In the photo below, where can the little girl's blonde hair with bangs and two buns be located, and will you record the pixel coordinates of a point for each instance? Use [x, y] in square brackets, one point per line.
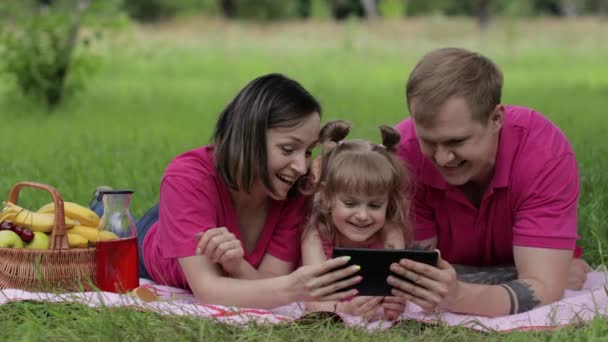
[359, 166]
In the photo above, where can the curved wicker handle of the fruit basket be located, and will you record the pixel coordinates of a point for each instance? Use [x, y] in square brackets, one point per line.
[59, 239]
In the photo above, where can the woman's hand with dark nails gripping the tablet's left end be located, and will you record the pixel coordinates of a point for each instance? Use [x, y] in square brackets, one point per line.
[323, 282]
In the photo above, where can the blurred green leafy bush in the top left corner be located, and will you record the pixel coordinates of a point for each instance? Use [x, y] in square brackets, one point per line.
[44, 48]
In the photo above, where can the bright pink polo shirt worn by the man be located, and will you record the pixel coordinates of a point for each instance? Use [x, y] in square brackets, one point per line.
[531, 200]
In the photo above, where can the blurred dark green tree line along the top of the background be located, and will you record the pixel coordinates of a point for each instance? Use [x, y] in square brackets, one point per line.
[270, 10]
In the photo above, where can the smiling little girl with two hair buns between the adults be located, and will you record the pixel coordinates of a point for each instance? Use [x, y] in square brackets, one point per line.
[360, 203]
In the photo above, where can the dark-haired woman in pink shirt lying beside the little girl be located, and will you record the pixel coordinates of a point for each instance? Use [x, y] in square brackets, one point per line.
[228, 223]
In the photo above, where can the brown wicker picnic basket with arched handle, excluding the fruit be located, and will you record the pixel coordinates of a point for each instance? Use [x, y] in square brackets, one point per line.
[59, 268]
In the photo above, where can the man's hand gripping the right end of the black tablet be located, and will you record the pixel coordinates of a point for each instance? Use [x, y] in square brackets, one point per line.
[430, 287]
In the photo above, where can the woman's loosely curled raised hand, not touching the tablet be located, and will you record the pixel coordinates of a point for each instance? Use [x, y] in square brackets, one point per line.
[222, 247]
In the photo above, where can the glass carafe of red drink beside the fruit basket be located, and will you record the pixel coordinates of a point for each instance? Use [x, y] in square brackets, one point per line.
[117, 259]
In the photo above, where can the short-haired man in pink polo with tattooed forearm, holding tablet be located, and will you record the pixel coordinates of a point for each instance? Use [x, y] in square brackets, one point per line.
[495, 186]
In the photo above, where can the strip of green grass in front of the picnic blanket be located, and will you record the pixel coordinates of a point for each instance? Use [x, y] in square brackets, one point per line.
[43, 321]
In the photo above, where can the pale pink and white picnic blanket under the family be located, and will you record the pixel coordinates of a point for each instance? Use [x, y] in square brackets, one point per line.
[576, 307]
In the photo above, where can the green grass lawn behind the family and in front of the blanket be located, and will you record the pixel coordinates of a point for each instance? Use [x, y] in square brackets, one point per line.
[160, 89]
